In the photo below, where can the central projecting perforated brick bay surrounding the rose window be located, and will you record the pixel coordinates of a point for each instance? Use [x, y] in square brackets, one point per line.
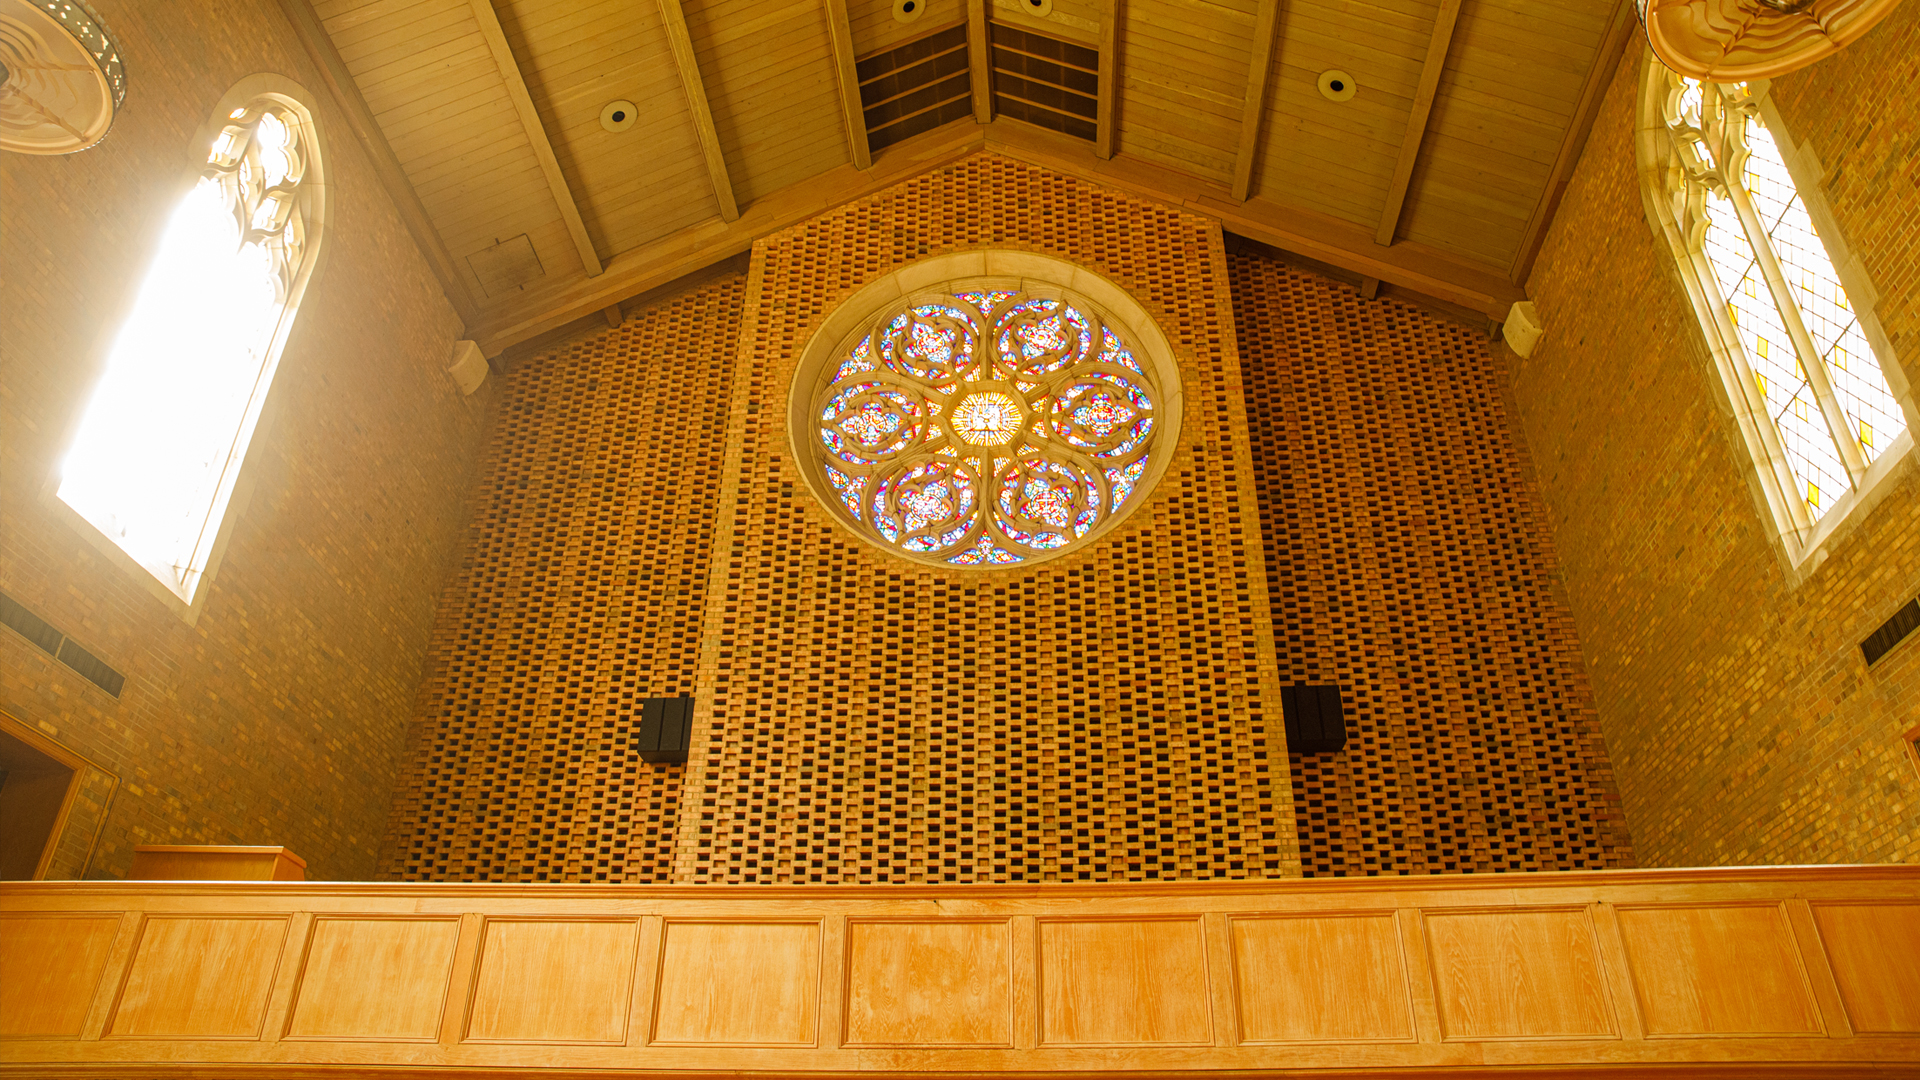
[1103, 718]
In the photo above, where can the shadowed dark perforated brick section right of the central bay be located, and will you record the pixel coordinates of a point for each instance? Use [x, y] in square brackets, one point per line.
[1410, 564]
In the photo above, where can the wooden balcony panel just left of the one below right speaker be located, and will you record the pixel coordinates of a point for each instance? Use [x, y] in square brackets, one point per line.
[1124, 983]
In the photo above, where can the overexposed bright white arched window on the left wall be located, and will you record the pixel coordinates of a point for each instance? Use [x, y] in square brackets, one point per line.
[160, 445]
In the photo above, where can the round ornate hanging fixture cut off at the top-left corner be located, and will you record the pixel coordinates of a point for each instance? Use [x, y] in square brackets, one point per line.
[60, 78]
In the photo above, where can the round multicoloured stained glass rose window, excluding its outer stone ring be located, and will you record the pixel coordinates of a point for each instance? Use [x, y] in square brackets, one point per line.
[986, 428]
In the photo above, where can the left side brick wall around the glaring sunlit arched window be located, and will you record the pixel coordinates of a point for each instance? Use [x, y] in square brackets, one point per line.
[281, 716]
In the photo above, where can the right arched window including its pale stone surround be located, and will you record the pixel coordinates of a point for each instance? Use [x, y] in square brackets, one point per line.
[1788, 316]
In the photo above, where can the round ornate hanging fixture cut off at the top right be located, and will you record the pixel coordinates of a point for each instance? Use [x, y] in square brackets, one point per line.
[1737, 41]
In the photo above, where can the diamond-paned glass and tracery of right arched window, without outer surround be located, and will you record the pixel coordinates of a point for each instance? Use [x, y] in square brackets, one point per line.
[1806, 364]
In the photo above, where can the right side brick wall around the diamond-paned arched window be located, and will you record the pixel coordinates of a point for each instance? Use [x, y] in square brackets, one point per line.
[1742, 720]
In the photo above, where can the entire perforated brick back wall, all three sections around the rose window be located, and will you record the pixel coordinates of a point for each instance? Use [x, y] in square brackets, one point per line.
[876, 722]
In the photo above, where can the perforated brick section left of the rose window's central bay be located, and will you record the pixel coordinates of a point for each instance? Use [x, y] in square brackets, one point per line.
[581, 595]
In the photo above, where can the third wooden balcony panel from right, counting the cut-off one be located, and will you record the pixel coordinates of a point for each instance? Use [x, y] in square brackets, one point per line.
[1512, 975]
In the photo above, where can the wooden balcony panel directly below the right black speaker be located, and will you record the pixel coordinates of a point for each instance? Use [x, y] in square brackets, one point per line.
[1322, 979]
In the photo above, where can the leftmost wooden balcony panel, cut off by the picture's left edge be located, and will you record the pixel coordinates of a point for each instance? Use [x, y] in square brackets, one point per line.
[49, 971]
